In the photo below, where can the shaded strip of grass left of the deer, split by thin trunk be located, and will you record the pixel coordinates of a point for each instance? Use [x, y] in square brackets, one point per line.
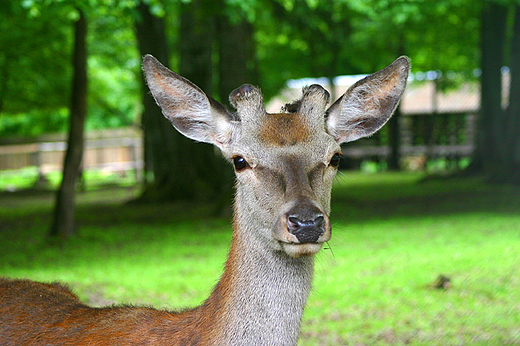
[107, 206]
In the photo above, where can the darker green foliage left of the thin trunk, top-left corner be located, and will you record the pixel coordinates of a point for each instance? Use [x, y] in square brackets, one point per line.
[34, 59]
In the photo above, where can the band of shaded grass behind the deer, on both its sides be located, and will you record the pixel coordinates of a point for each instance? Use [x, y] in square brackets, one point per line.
[357, 197]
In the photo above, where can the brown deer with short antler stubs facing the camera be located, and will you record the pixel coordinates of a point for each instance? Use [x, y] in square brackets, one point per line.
[285, 164]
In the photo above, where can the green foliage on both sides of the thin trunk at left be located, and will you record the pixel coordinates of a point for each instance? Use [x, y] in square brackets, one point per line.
[35, 64]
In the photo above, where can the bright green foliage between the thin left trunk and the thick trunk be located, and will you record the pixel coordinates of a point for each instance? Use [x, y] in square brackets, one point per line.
[114, 69]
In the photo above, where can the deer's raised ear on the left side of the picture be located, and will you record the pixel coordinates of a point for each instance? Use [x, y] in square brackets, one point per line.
[188, 108]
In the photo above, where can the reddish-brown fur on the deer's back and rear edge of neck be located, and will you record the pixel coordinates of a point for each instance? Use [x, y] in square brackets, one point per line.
[53, 315]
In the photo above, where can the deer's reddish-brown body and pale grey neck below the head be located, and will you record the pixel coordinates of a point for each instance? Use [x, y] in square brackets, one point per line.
[265, 311]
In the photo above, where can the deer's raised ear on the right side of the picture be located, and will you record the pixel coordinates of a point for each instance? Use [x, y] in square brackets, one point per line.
[368, 104]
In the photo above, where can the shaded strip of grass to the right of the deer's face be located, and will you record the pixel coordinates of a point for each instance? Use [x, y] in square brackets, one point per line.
[384, 197]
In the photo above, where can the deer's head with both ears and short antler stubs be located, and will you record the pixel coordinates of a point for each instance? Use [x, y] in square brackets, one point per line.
[285, 163]
